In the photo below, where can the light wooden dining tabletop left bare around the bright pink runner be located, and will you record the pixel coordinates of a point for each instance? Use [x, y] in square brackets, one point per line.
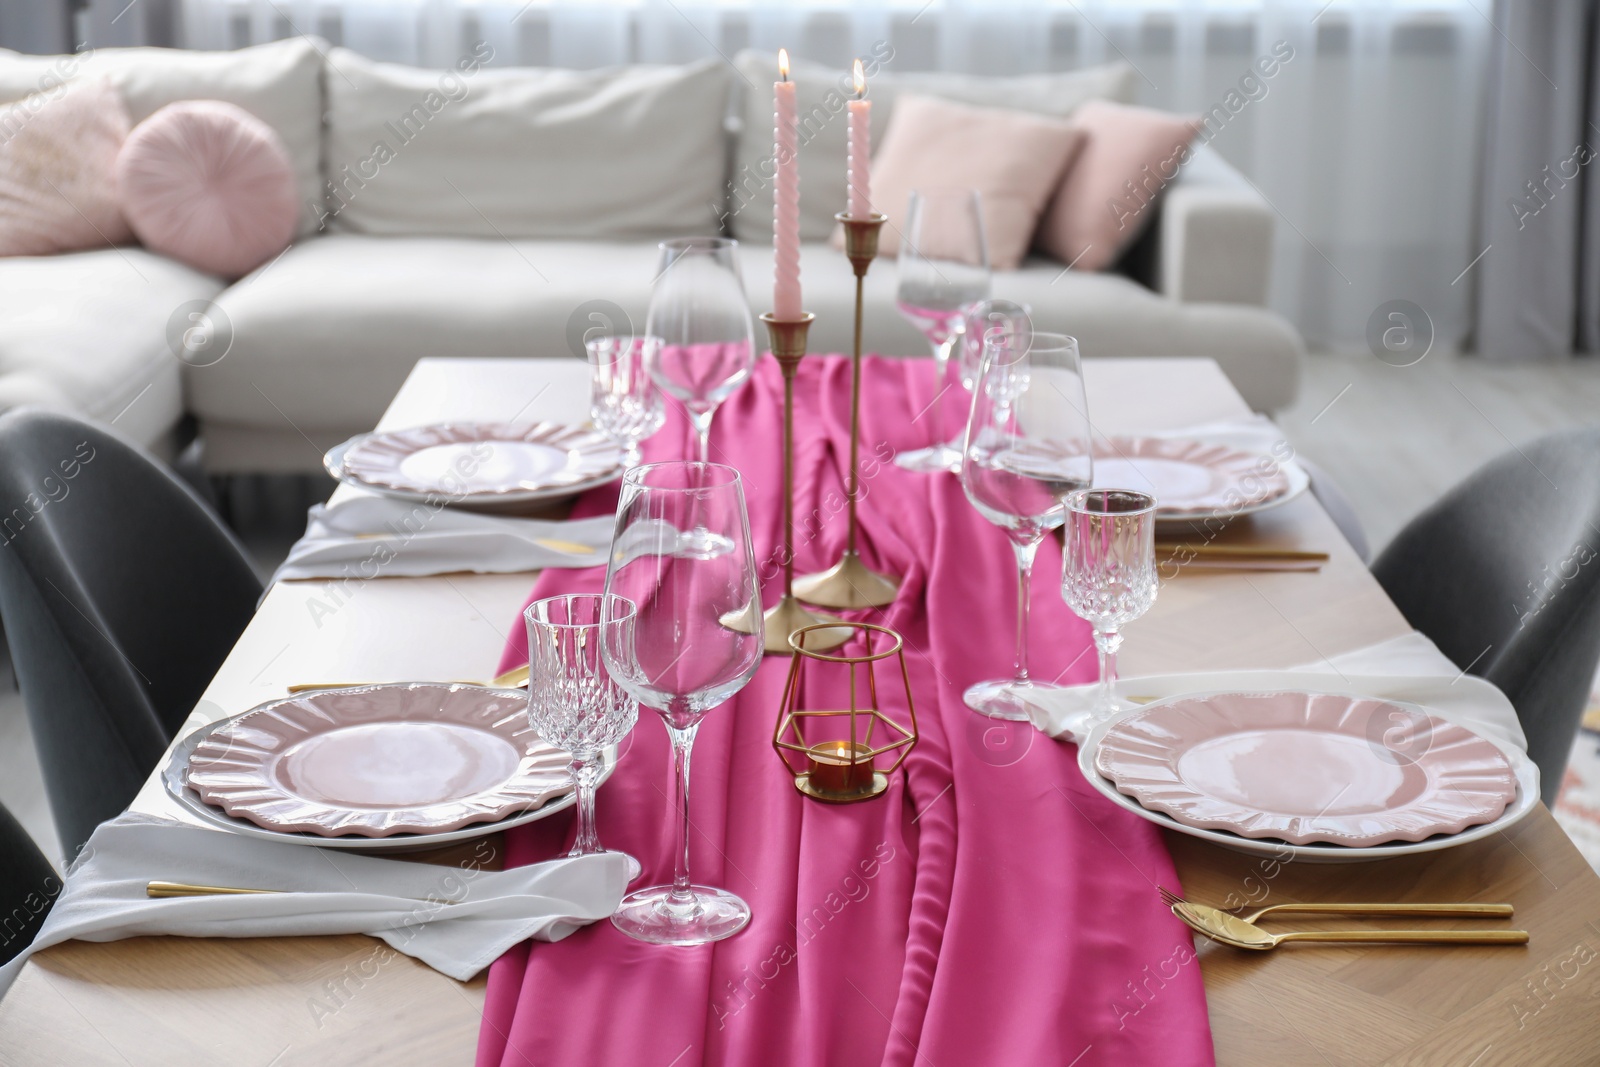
[274, 1002]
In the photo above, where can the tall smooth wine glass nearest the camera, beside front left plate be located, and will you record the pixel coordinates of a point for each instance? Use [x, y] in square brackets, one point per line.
[695, 641]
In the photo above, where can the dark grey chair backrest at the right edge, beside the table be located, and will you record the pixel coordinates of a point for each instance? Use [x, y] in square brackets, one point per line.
[1503, 573]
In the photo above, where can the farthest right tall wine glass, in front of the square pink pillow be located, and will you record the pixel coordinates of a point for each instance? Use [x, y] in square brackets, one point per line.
[943, 274]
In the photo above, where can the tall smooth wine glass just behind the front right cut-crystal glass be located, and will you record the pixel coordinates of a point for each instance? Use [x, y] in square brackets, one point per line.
[1028, 446]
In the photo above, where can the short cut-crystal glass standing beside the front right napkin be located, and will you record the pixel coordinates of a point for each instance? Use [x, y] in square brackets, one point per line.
[1108, 578]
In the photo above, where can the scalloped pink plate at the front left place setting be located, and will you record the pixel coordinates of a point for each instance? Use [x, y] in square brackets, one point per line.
[378, 761]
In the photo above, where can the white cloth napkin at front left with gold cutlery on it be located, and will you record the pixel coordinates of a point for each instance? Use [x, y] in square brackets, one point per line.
[330, 893]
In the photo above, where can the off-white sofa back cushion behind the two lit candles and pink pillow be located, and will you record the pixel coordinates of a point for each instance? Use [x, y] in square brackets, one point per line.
[822, 94]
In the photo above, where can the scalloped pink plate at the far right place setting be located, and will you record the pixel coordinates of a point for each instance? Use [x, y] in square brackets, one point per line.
[1190, 478]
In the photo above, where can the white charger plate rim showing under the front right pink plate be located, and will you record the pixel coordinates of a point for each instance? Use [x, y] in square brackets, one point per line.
[1526, 801]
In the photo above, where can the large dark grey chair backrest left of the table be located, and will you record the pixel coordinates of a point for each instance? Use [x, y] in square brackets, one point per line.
[121, 596]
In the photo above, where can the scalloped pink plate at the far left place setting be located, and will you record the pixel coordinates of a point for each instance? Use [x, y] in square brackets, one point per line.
[484, 460]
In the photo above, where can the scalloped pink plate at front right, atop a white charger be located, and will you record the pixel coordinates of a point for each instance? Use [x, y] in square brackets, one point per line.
[1308, 767]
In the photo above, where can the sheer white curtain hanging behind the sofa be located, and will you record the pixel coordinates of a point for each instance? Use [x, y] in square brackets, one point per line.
[1366, 140]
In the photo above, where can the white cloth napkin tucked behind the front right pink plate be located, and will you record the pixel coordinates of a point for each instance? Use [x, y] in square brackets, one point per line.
[1407, 668]
